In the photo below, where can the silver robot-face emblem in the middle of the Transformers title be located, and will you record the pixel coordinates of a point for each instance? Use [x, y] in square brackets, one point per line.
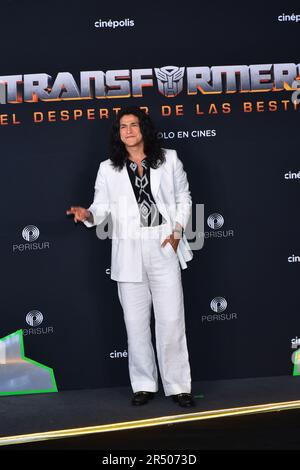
[170, 80]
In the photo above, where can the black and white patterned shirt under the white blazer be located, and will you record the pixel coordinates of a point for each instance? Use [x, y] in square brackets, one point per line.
[149, 213]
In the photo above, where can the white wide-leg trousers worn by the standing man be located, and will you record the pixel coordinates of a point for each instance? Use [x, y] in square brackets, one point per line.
[161, 285]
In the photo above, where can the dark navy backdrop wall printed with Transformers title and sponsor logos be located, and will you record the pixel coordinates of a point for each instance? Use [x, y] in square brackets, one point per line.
[221, 86]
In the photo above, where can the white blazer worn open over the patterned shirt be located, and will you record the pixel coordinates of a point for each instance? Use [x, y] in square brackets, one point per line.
[114, 195]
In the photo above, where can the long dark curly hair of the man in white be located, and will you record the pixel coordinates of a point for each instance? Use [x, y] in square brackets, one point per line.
[154, 152]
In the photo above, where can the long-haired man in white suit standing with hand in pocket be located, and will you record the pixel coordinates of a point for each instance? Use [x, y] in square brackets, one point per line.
[145, 189]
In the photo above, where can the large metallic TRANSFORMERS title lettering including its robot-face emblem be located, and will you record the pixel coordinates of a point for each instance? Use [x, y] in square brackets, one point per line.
[126, 83]
